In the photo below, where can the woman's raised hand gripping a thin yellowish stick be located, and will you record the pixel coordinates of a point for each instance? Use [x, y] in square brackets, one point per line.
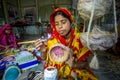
[40, 45]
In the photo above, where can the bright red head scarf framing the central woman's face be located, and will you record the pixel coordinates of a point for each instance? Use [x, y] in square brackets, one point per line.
[55, 33]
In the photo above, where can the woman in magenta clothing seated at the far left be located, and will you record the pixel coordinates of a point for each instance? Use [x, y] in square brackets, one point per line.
[7, 39]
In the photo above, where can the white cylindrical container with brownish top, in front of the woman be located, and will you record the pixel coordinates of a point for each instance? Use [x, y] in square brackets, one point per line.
[50, 73]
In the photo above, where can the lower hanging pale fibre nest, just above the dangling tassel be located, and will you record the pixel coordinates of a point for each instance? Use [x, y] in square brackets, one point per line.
[98, 39]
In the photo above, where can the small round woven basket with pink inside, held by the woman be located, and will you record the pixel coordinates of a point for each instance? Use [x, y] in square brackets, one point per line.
[59, 53]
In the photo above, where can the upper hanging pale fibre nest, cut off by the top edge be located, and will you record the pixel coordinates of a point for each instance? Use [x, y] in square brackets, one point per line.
[101, 7]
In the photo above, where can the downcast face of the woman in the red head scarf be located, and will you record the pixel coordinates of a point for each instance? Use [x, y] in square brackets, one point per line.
[62, 25]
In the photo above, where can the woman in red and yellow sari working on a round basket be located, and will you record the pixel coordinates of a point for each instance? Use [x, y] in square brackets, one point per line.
[63, 33]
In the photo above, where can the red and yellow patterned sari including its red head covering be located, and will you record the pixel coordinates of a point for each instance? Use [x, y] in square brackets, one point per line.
[79, 52]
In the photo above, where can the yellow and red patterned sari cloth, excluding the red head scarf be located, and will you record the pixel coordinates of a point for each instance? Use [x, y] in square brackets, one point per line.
[81, 53]
